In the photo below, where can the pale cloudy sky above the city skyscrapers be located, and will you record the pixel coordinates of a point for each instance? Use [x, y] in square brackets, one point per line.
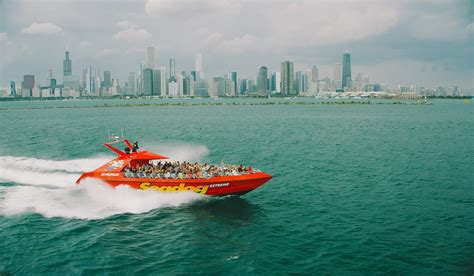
[406, 41]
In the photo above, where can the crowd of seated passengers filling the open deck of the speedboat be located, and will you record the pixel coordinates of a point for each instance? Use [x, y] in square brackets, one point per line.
[185, 170]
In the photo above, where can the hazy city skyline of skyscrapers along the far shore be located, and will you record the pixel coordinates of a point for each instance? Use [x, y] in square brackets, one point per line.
[165, 82]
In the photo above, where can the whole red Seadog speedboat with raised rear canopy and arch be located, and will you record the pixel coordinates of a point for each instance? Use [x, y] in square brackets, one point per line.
[122, 171]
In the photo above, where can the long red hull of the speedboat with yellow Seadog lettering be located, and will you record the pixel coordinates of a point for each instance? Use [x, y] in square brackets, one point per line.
[215, 186]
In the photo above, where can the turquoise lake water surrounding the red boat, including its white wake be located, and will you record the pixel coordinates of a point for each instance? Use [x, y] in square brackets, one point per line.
[357, 189]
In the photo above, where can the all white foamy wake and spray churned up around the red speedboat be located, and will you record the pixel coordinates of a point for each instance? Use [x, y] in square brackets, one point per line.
[47, 187]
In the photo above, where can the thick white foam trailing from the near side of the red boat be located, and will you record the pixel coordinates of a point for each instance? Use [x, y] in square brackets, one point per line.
[90, 200]
